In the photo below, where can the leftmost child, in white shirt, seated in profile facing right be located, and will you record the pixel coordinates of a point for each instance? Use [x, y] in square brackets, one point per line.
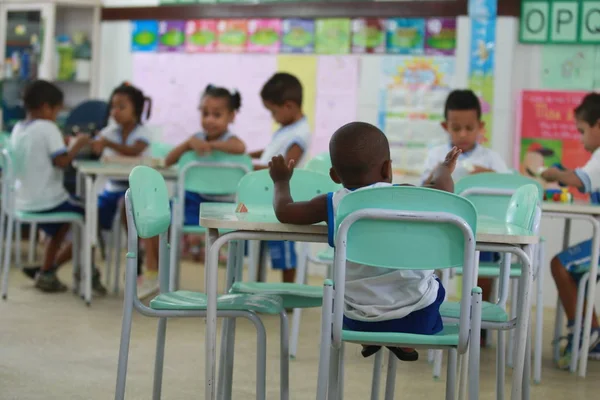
[42, 156]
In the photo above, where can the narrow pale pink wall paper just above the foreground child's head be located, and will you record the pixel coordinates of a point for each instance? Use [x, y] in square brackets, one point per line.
[336, 98]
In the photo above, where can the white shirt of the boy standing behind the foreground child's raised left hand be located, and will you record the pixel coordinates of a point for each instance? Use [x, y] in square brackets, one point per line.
[287, 136]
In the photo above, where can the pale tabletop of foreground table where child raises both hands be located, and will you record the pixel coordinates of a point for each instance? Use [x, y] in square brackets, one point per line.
[262, 219]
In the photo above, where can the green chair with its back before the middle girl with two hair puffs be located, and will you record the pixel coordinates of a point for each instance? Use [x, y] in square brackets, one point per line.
[217, 175]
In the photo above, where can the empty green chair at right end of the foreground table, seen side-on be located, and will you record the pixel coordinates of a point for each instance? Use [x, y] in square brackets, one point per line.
[524, 210]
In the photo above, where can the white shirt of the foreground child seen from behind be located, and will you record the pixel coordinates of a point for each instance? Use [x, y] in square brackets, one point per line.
[379, 294]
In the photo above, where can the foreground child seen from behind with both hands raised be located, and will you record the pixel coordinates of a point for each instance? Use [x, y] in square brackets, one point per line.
[377, 299]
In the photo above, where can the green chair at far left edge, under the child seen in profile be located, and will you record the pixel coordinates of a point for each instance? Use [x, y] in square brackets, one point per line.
[12, 217]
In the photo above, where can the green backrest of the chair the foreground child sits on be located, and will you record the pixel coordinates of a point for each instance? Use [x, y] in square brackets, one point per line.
[423, 242]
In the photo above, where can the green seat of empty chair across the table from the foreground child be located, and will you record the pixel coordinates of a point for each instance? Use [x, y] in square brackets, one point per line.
[293, 295]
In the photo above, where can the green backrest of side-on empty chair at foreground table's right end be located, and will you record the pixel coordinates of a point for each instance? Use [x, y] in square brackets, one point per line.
[524, 208]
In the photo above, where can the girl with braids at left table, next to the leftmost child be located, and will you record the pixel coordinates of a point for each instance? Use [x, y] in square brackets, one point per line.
[127, 138]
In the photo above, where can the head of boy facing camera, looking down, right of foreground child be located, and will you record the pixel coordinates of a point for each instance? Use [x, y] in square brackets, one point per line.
[462, 115]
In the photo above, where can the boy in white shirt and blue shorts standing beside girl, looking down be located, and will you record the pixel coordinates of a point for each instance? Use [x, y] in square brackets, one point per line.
[282, 96]
